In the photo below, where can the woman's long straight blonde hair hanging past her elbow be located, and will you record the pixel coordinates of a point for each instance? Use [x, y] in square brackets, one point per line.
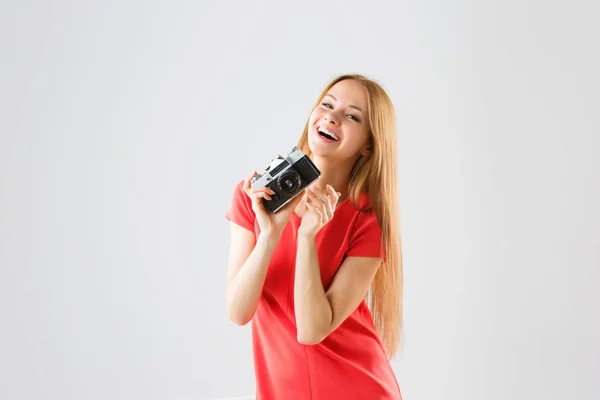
[376, 175]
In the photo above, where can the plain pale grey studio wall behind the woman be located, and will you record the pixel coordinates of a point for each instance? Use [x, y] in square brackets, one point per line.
[124, 127]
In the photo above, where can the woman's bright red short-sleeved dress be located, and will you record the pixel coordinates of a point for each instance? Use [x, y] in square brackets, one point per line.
[348, 364]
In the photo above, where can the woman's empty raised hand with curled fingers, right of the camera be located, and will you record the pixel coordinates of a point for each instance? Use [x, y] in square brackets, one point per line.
[320, 206]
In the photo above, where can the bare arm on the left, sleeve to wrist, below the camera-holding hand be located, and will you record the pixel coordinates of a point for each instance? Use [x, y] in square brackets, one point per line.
[249, 259]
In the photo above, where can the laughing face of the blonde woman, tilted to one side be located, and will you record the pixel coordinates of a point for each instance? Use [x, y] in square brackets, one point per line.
[338, 127]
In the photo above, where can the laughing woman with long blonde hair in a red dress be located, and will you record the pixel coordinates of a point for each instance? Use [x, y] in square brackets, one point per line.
[302, 275]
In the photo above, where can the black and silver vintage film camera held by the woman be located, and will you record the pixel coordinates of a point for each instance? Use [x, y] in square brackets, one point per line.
[287, 177]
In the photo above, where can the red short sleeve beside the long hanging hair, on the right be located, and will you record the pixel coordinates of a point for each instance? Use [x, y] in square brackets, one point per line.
[366, 239]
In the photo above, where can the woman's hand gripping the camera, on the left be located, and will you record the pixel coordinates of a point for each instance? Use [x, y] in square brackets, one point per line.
[268, 222]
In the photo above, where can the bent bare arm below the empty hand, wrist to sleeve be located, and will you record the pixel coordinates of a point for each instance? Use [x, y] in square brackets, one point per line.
[318, 313]
